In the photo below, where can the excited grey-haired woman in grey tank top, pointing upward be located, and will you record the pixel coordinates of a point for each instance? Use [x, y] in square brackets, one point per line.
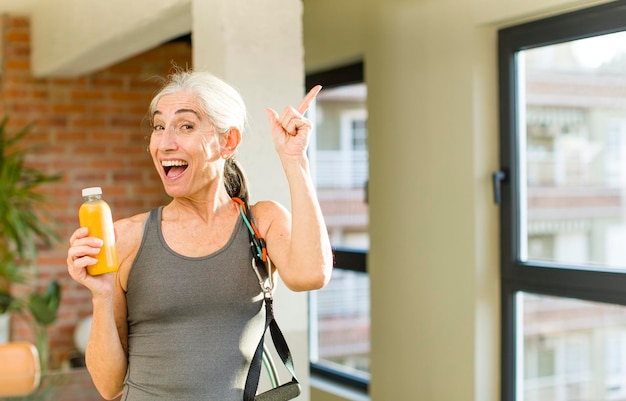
[182, 317]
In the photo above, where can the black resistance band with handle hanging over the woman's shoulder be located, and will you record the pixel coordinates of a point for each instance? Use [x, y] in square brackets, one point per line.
[262, 267]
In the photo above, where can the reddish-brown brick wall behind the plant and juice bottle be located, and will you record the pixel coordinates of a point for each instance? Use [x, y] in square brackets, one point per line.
[93, 131]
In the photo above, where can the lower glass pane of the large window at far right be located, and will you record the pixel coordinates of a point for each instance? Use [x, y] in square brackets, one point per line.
[571, 349]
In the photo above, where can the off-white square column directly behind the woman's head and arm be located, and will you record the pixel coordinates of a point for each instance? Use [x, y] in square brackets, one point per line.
[256, 46]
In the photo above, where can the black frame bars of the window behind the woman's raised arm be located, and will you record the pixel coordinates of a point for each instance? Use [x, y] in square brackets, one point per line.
[345, 258]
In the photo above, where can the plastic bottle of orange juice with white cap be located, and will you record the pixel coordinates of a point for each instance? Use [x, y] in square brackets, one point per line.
[95, 214]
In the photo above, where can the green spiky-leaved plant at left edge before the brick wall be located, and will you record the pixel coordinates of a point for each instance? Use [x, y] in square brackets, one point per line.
[23, 220]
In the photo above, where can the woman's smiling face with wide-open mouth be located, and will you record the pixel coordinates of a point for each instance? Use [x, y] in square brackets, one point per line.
[185, 147]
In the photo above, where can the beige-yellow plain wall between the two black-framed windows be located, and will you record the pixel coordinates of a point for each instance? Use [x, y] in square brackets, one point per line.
[431, 70]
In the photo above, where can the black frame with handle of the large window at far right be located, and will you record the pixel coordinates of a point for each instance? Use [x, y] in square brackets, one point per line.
[587, 282]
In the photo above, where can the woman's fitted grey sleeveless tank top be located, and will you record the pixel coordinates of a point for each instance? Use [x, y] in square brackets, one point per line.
[194, 322]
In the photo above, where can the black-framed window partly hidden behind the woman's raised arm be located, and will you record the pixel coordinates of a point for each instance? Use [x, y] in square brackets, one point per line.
[339, 313]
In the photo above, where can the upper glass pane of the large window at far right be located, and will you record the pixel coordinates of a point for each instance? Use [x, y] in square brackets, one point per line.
[573, 152]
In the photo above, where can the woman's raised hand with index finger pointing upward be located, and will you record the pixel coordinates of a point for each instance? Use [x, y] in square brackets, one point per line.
[291, 130]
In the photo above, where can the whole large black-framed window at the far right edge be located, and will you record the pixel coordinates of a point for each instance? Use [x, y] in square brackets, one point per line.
[563, 206]
